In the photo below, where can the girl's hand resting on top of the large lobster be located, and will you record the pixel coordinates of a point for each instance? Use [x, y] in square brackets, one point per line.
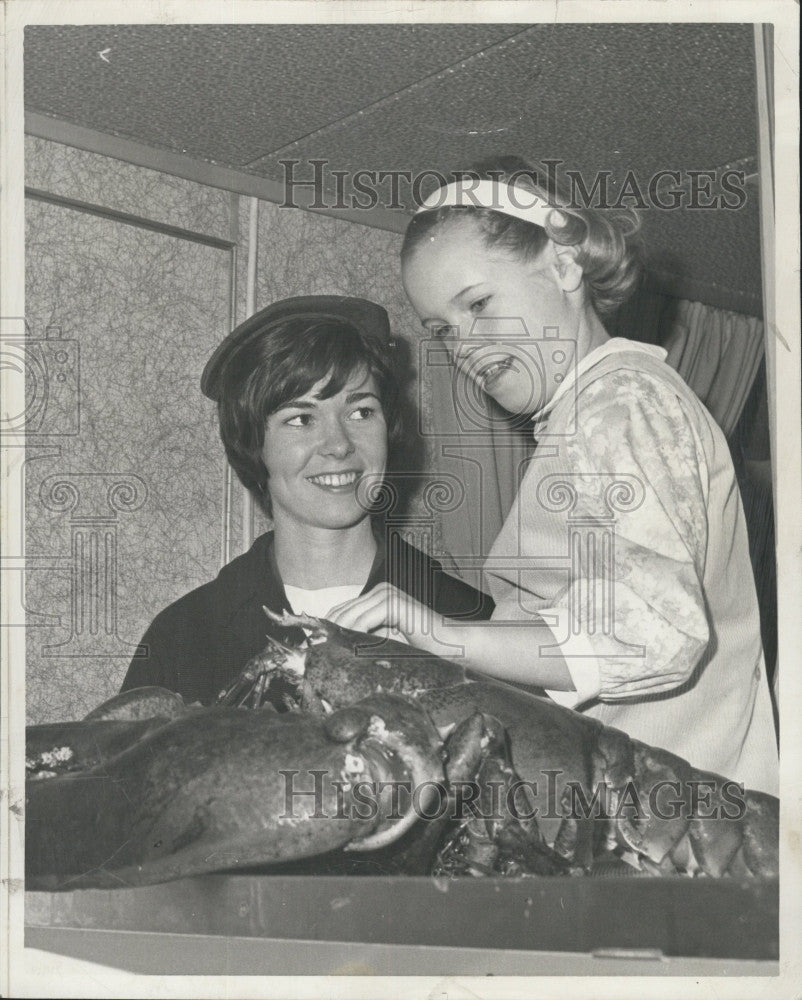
[388, 607]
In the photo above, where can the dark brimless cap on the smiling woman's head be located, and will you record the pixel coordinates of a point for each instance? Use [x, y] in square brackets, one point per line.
[370, 319]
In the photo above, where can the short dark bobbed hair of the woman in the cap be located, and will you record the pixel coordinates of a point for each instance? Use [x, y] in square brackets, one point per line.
[282, 363]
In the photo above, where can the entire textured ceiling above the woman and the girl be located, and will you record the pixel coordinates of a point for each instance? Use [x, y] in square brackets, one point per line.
[599, 97]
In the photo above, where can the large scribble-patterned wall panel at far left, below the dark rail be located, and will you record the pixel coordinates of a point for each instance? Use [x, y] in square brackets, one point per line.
[124, 509]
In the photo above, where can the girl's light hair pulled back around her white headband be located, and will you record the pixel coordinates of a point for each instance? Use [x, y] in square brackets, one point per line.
[608, 241]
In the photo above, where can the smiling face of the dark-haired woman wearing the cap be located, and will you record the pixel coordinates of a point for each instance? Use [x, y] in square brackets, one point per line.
[316, 450]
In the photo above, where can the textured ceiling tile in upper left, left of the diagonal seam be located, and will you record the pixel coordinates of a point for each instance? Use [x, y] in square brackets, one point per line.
[231, 93]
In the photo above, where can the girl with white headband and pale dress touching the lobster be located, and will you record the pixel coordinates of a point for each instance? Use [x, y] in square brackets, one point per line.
[622, 573]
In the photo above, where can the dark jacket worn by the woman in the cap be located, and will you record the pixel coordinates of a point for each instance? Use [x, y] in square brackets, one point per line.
[199, 644]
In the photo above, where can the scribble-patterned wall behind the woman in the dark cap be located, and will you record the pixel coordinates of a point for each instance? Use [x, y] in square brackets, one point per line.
[124, 483]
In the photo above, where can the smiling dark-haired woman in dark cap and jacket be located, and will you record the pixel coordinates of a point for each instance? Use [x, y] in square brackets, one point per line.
[311, 417]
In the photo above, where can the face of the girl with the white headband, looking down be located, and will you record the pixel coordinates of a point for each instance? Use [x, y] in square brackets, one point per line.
[497, 305]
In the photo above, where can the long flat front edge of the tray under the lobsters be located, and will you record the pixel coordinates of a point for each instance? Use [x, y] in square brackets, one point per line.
[630, 919]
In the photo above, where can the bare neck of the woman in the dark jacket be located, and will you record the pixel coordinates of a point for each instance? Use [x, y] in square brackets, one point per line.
[313, 558]
